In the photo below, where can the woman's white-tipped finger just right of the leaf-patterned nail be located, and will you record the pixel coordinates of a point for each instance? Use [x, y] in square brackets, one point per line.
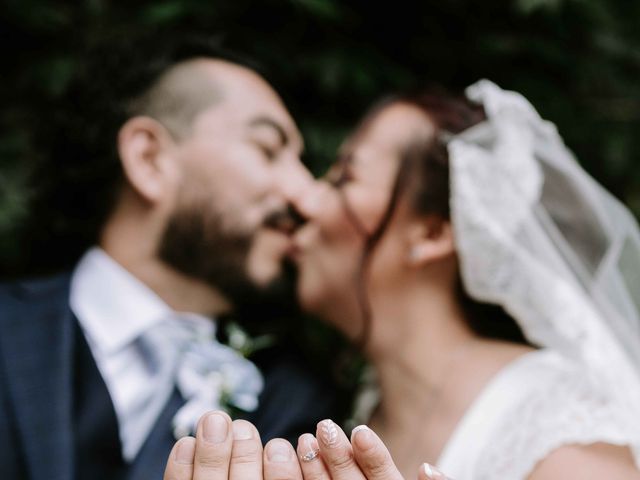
[372, 455]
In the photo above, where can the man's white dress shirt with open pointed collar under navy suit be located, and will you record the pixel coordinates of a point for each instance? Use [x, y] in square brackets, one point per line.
[118, 315]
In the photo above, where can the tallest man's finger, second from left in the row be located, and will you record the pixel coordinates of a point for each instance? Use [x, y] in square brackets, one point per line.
[213, 447]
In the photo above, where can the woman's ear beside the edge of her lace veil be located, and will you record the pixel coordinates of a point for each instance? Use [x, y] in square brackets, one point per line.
[429, 240]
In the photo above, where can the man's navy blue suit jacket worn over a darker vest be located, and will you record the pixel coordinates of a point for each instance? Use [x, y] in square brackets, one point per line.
[36, 390]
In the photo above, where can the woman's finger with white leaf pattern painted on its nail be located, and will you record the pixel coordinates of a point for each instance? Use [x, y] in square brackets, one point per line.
[337, 453]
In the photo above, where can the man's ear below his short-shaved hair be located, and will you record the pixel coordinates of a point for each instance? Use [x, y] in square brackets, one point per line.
[142, 144]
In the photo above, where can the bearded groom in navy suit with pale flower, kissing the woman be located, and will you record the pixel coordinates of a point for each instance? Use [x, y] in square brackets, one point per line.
[206, 163]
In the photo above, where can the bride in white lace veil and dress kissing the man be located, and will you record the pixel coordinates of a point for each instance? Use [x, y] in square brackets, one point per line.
[491, 284]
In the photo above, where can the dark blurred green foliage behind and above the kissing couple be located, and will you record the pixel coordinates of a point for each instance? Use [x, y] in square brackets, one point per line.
[578, 61]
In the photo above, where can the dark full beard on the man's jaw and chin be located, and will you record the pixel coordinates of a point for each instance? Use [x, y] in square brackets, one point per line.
[196, 243]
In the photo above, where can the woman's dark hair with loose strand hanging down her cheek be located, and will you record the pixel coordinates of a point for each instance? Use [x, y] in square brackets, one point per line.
[423, 175]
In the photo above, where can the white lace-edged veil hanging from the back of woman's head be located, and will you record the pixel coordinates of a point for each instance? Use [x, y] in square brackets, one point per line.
[537, 235]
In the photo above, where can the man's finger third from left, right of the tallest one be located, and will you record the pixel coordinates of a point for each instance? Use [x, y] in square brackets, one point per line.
[246, 454]
